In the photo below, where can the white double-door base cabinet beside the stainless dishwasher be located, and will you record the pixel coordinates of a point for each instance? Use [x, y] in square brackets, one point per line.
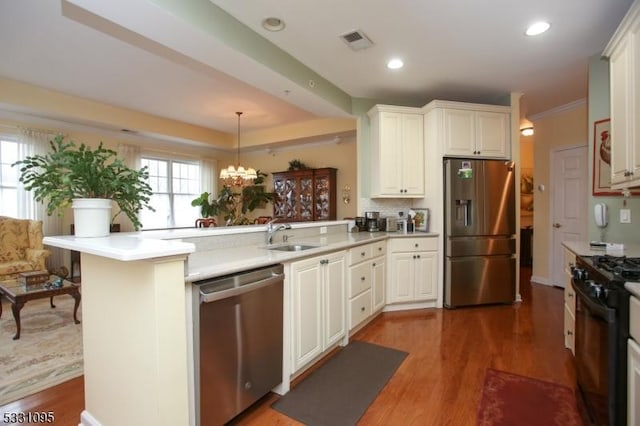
[318, 286]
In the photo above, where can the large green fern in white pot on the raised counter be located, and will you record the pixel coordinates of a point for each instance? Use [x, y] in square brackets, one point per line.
[88, 181]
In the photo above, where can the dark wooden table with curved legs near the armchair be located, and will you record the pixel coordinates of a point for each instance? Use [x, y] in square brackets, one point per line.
[18, 295]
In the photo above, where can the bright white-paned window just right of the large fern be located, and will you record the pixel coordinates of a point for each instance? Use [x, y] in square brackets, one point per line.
[174, 184]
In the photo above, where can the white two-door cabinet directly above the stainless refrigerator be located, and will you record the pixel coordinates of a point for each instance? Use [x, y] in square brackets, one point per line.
[473, 130]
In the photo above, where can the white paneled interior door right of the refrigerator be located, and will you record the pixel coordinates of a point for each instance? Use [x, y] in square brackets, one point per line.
[569, 189]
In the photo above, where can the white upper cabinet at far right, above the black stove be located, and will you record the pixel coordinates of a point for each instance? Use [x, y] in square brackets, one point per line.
[623, 52]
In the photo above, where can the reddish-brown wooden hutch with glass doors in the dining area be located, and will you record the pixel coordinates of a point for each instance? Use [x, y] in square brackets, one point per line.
[305, 195]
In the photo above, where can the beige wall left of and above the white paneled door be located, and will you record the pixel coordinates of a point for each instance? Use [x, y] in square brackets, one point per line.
[553, 130]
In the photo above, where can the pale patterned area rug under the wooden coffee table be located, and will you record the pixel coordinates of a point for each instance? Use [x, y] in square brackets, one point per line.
[48, 352]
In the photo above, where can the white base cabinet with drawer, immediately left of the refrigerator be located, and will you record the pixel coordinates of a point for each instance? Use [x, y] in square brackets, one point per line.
[413, 270]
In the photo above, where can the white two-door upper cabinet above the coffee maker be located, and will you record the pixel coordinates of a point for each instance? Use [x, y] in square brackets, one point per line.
[397, 152]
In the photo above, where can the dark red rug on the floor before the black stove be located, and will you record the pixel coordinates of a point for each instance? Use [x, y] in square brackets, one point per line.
[510, 399]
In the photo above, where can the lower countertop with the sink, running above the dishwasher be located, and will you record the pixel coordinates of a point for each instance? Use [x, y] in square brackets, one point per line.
[212, 263]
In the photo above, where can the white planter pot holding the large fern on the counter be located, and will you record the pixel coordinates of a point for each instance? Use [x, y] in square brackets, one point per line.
[91, 217]
